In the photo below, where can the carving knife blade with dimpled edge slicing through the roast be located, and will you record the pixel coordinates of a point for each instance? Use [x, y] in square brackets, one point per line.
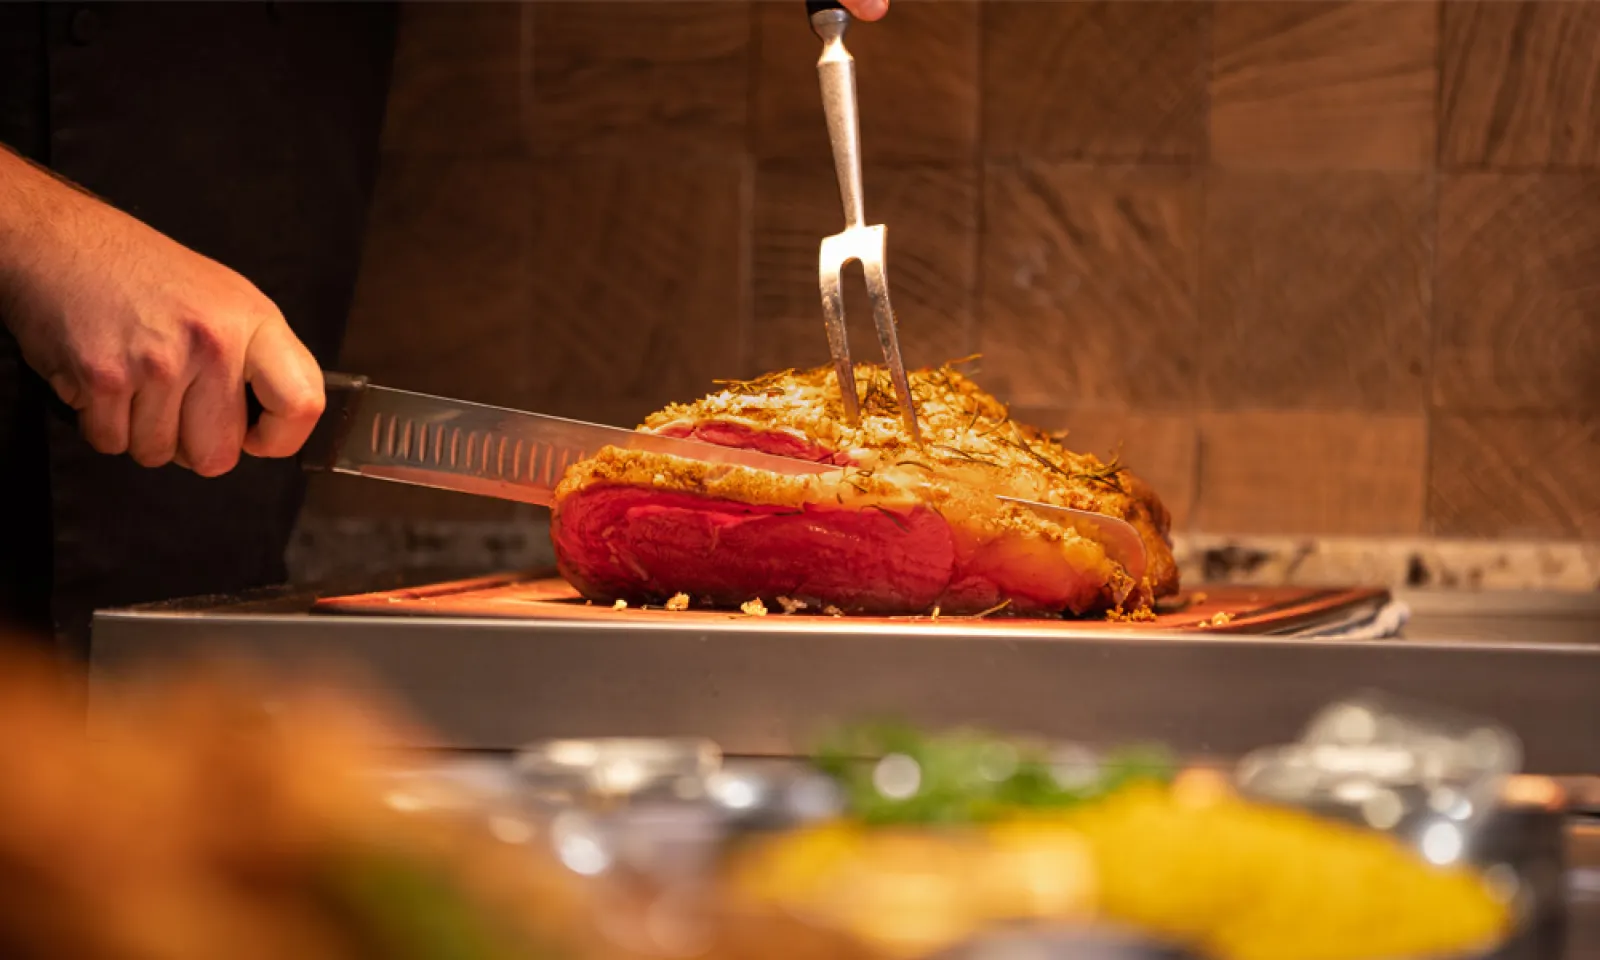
[426, 441]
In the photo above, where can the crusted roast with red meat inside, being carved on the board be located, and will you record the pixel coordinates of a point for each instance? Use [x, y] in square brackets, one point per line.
[905, 529]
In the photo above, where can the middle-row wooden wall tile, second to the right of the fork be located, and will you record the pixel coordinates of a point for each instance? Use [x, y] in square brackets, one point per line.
[1316, 290]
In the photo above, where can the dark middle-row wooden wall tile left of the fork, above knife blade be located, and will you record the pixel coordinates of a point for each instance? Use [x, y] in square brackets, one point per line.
[638, 284]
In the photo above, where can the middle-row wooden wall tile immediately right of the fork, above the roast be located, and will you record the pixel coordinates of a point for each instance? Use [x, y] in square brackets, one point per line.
[1090, 279]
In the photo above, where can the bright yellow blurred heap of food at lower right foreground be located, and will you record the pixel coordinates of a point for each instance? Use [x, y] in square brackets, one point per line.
[1249, 882]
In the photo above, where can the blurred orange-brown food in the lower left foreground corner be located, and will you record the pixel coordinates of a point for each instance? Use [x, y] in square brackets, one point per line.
[204, 823]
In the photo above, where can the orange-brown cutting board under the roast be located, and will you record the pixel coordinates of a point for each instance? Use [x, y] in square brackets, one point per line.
[1222, 609]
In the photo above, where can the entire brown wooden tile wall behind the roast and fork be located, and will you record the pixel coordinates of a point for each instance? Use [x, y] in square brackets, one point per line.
[1314, 266]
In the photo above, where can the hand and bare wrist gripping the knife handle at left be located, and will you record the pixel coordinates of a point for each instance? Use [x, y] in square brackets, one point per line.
[150, 342]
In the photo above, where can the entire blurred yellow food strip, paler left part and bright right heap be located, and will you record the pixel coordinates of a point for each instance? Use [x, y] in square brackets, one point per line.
[1190, 865]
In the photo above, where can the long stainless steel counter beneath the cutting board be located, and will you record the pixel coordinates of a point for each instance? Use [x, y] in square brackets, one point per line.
[766, 689]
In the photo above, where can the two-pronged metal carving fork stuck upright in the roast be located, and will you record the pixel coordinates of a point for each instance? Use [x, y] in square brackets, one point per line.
[858, 242]
